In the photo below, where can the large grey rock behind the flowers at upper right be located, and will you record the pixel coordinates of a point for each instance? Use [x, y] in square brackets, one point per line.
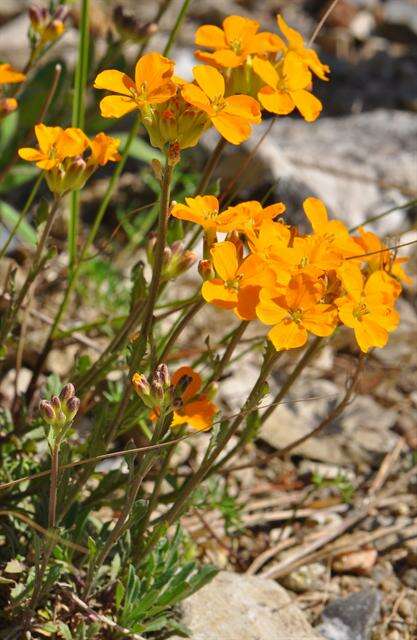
[360, 165]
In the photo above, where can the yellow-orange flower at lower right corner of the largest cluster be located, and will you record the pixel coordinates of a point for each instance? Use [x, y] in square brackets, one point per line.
[367, 306]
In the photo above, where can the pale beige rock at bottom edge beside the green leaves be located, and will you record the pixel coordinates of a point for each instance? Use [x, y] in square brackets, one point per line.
[238, 607]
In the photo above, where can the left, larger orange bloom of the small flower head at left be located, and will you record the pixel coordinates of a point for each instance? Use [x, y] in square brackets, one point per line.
[55, 144]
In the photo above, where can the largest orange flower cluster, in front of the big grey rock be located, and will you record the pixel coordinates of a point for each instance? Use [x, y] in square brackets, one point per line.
[300, 284]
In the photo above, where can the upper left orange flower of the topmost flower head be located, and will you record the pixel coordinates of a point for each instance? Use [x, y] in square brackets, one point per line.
[233, 44]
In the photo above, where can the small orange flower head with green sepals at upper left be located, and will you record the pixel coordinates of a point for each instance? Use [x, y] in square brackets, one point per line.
[60, 154]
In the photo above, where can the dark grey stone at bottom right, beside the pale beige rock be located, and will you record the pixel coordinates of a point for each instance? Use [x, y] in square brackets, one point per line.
[351, 618]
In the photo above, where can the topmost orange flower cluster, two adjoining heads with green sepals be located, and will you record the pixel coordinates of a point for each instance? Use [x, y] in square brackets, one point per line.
[246, 72]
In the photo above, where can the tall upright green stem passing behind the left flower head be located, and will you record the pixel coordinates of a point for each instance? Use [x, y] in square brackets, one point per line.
[80, 82]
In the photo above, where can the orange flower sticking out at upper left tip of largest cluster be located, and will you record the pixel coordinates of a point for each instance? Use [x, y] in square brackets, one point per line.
[204, 210]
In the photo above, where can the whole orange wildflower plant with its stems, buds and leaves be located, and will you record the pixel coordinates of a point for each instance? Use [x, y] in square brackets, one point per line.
[128, 400]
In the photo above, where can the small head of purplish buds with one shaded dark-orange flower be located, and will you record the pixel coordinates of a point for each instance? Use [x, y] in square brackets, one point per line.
[180, 394]
